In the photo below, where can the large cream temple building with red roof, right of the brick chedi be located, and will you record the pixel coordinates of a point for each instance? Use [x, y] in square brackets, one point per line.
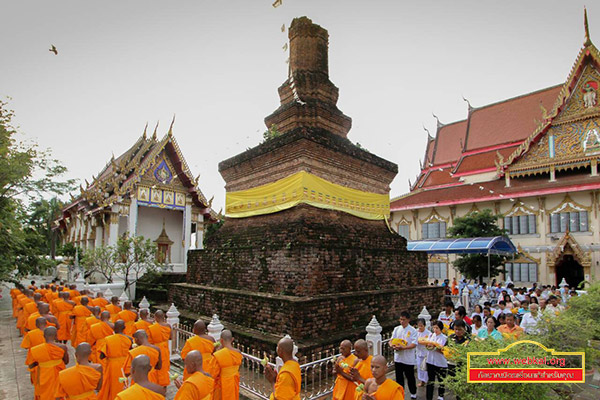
[532, 159]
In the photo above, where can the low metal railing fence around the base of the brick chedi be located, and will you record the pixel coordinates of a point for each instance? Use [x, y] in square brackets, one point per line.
[318, 377]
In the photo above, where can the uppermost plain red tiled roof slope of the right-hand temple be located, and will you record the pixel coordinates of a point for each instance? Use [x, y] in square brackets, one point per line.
[510, 120]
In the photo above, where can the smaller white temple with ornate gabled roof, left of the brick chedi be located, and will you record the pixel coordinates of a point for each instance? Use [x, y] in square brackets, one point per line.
[147, 191]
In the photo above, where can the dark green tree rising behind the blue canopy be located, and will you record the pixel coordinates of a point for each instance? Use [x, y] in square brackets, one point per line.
[477, 224]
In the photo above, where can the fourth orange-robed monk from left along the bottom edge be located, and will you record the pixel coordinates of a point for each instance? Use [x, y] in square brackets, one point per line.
[199, 385]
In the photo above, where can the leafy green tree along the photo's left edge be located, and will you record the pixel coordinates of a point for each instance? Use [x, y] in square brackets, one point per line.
[27, 173]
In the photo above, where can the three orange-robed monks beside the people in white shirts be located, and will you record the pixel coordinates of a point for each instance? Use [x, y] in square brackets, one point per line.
[361, 376]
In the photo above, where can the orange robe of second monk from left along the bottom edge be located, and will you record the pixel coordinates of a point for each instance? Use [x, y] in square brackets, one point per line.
[78, 382]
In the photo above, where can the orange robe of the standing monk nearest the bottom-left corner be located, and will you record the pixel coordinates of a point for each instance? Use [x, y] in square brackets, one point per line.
[50, 362]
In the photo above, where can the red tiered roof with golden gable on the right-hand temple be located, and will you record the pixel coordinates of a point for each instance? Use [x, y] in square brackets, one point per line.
[510, 137]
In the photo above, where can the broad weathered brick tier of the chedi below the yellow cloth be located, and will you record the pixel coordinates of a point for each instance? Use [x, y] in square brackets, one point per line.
[306, 251]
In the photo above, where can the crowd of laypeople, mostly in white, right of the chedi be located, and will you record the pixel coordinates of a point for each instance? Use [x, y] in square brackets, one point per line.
[508, 315]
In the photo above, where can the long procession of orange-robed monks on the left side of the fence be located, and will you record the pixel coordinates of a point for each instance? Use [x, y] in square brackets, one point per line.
[123, 354]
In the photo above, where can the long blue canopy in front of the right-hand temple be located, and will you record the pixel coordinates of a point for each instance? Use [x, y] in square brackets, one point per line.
[489, 245]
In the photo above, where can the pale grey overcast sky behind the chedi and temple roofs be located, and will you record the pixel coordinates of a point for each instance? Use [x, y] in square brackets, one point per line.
[217, 65]
